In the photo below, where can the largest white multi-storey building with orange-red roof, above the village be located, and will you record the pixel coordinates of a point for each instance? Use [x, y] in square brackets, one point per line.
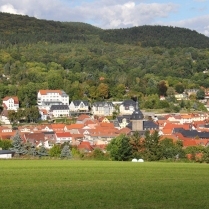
[47, 98]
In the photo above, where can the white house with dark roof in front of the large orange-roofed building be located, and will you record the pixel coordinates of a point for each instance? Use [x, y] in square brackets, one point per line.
[57, 111]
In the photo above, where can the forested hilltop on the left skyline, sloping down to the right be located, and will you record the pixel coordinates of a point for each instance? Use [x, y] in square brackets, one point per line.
[23, 29]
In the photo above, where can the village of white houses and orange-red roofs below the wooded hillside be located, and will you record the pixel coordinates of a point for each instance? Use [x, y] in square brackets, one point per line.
[93, 127]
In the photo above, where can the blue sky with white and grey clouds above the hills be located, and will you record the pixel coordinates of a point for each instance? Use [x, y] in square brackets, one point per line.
[111, 14]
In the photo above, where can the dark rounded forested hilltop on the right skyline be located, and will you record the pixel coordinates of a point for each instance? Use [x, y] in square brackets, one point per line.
[164, 36]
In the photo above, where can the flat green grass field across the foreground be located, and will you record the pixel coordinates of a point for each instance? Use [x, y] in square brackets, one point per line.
[57, 184]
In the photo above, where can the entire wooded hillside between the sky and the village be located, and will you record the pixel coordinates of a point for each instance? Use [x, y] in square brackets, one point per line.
[143, 61]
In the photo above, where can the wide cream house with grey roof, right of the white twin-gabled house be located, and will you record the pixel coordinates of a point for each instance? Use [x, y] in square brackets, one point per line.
[103, 108]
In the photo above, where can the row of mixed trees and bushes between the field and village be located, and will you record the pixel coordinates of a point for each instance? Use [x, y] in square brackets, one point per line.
[148, 147]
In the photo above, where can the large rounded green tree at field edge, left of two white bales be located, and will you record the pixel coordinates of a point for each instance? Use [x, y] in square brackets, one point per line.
[120, 149]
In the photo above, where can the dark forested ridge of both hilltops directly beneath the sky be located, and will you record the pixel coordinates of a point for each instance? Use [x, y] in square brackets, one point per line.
[23, 29]
